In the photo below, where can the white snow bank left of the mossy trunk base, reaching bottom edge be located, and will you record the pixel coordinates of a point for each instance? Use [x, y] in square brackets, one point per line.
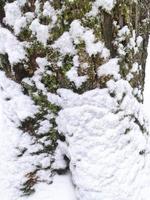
[14, 106]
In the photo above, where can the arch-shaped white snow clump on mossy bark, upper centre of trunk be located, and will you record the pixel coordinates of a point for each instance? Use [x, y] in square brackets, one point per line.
[77, 34]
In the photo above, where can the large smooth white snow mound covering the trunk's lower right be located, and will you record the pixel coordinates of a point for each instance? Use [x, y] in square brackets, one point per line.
[108, 152]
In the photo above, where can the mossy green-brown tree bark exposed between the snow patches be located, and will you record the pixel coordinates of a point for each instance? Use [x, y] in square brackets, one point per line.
[106, 26]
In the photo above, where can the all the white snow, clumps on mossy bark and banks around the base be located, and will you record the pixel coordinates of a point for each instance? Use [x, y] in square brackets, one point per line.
[103, 139]
